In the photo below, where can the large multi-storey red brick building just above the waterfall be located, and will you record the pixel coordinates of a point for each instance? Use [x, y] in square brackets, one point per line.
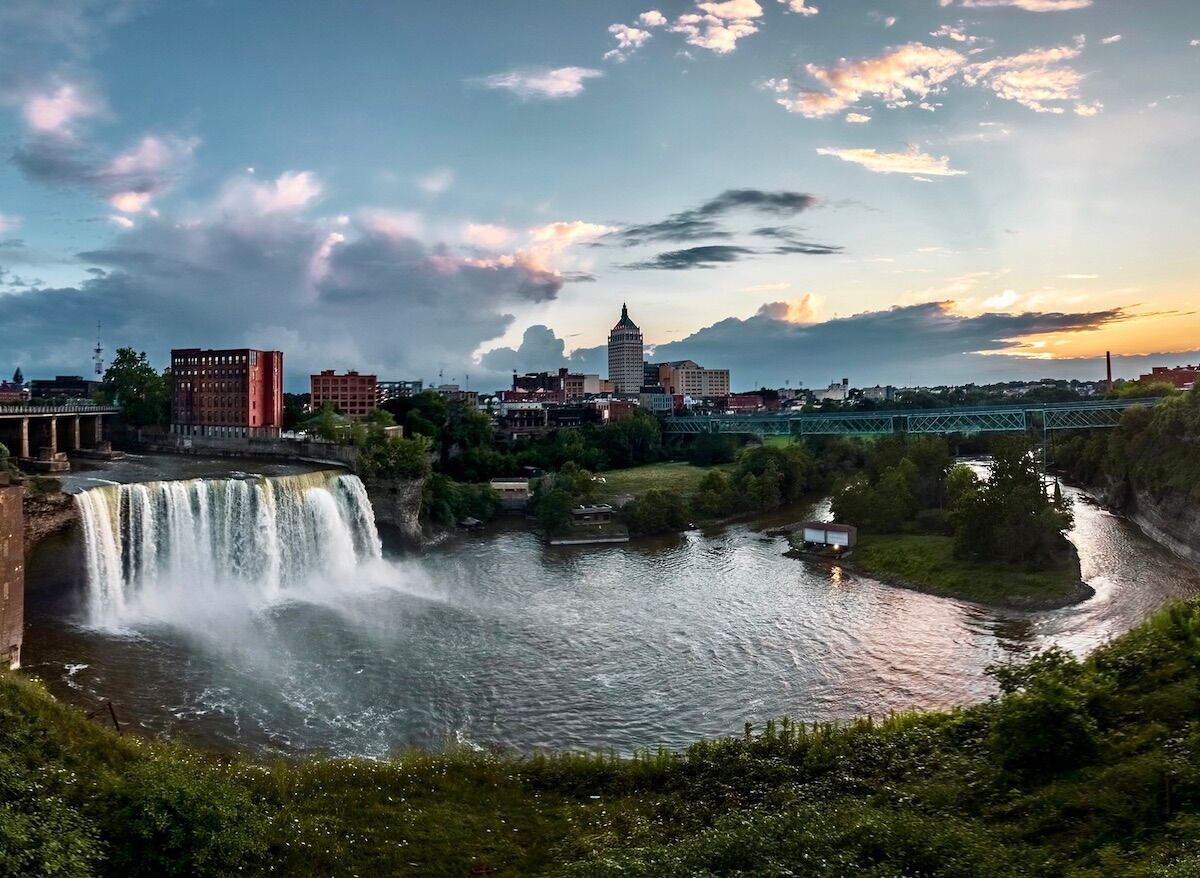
[237, 393]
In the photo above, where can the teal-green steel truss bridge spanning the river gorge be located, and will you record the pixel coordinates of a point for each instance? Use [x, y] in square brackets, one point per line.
[1045, 418]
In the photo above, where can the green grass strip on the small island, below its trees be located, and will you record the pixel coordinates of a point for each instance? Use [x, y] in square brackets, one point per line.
[928, 563]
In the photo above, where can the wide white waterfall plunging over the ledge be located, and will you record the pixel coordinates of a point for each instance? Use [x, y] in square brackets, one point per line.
[158, 543]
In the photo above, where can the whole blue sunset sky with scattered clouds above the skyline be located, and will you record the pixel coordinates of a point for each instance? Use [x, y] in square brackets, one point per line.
[897, 191]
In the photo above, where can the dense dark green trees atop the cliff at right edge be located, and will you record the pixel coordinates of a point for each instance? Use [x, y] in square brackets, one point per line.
[1155, 450]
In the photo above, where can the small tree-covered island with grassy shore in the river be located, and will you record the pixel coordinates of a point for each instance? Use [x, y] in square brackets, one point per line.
[928, 525]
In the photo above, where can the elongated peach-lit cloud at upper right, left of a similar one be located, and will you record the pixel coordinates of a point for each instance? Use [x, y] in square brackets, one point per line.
[898, 79]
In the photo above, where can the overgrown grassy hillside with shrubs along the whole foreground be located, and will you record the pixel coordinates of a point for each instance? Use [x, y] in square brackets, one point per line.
[1081, 769]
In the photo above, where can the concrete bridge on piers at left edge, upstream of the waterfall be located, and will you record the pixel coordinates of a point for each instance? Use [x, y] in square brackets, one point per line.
[41, 436]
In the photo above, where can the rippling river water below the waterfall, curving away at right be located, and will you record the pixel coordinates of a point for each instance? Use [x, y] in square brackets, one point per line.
[496, 640]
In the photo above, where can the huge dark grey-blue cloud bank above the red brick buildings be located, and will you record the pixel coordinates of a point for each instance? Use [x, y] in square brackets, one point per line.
[356, 299]
